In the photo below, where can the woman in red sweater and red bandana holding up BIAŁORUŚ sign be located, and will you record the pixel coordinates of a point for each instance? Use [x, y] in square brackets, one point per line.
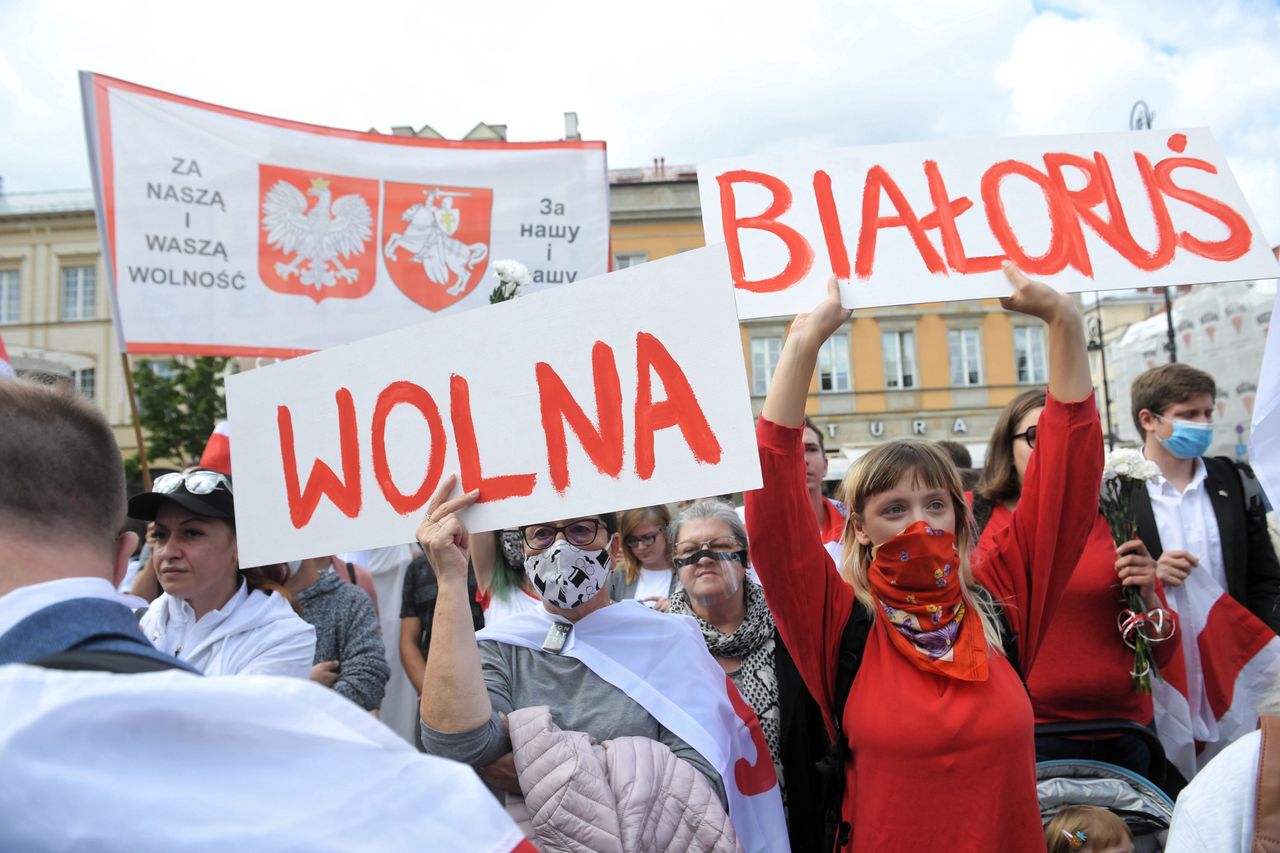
[940, 728]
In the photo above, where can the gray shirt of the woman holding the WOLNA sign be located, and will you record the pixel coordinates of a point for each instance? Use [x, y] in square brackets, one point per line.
[579, 699]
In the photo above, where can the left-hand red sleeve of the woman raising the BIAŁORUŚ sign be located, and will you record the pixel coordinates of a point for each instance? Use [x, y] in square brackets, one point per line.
[810, 600]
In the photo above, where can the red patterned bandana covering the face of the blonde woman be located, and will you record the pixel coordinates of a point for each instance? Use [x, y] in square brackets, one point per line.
[916, 581]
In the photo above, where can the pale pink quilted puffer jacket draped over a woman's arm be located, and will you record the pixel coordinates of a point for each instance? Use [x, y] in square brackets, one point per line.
[623, 796]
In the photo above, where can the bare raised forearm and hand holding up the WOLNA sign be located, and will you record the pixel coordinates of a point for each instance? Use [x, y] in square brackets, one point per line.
[458, 700]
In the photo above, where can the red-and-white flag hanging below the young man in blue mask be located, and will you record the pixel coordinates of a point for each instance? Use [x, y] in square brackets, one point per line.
[1208, 697]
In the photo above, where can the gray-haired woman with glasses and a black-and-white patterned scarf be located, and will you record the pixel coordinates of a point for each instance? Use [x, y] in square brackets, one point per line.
[738, 628]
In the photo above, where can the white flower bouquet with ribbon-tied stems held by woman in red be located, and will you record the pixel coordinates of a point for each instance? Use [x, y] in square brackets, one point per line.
[1124, 471]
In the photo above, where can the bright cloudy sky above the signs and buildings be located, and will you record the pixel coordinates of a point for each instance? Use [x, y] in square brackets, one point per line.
[685, 81]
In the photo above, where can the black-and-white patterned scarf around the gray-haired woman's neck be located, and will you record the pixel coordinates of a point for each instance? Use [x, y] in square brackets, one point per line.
[753, 646]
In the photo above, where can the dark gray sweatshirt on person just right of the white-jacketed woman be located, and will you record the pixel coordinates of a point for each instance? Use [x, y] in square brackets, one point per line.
[348, 632]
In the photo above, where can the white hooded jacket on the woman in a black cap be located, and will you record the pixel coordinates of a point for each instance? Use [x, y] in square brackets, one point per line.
[253, 633]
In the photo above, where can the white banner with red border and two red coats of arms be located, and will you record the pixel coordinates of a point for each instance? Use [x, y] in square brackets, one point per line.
[234, 234]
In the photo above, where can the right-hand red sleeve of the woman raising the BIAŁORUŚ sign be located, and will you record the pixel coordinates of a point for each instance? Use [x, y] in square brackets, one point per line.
[1028, 564]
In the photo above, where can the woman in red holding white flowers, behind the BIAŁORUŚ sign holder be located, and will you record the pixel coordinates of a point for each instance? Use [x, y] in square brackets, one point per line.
[1084, 669]
